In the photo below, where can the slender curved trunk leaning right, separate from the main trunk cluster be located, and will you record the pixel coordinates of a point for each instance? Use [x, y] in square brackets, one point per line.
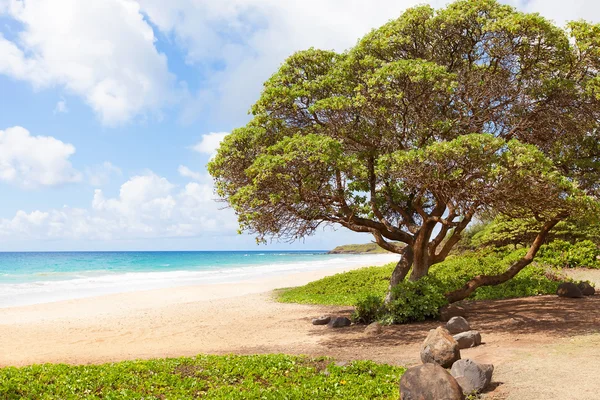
[492, 280]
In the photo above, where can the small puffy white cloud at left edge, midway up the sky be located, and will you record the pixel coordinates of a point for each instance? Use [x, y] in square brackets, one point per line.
[32, 161]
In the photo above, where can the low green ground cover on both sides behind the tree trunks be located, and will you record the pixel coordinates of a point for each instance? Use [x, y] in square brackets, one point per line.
[346, 289]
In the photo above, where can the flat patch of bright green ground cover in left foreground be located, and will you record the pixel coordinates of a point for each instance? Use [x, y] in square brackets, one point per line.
[206, 377]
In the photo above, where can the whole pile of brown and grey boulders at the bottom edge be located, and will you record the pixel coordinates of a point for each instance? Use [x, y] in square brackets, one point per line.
[441, 351]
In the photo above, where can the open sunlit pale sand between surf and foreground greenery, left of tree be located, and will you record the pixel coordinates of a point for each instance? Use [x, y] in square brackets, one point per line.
[238, 318]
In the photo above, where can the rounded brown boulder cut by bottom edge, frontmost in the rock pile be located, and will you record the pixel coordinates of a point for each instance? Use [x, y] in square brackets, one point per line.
[429, 382]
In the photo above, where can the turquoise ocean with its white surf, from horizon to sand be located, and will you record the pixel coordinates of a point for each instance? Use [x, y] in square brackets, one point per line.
[33, 278]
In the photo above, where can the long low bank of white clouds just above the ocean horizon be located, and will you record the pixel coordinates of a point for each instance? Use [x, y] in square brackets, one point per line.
[147, 206]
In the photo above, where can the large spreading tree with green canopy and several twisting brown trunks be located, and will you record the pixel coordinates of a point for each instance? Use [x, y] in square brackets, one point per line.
[429, 121]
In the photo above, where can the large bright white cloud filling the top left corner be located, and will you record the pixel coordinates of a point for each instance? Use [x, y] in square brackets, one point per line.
[100, 50]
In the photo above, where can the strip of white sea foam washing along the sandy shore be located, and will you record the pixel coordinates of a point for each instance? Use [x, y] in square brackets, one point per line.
[93, 283]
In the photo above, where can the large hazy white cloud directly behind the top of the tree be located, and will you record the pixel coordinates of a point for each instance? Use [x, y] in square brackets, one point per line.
[251, 38]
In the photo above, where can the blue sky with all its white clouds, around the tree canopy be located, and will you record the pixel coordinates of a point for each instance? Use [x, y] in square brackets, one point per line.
[110, 110]
